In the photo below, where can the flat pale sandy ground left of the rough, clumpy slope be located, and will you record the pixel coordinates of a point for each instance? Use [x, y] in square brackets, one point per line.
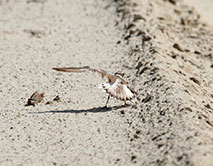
[77, 131]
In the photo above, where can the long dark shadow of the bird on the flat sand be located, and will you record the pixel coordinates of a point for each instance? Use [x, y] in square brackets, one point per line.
[92, 110]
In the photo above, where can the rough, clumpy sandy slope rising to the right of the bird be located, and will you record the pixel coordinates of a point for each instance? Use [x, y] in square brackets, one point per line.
[171, 55]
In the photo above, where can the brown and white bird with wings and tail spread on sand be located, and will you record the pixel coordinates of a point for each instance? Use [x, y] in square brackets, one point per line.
[115, 86]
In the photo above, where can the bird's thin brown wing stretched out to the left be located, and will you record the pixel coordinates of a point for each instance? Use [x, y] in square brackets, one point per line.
[81, 69]
